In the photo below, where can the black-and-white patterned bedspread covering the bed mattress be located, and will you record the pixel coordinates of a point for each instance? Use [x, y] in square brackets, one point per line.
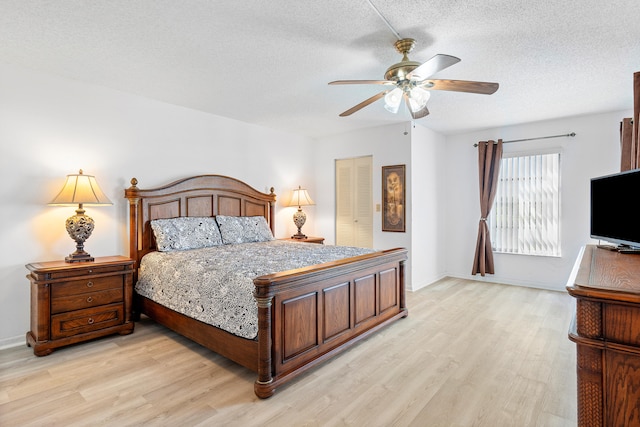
[215, 285]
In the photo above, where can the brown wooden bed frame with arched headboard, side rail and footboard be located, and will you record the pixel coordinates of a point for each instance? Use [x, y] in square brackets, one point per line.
[305, 316]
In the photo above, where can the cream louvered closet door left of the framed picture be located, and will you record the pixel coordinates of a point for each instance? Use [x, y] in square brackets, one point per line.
[354, 201]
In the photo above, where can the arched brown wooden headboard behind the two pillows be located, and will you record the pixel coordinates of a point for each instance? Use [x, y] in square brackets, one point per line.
[202, 195]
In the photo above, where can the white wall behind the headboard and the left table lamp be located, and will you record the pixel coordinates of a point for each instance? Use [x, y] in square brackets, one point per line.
[50, 127]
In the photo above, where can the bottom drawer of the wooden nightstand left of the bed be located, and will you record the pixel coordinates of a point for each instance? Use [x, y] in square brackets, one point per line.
[81, 321]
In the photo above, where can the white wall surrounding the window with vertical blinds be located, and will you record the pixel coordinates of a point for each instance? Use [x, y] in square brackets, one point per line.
[594, 151]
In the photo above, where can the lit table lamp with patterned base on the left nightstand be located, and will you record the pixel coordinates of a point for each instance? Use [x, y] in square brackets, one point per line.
[80, 189]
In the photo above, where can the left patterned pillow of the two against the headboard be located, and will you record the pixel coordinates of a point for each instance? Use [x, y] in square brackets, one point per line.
[179, 234]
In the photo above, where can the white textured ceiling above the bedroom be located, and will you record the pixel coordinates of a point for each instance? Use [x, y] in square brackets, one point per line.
[269, 62]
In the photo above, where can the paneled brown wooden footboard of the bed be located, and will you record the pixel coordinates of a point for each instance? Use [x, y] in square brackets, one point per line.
[308, 315]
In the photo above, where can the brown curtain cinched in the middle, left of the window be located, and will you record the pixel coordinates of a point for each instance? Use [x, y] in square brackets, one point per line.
[489, 156]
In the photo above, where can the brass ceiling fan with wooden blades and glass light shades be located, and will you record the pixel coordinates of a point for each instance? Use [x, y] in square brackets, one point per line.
[412, 83]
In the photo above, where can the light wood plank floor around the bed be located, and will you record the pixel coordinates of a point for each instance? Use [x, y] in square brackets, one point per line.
[469, 354]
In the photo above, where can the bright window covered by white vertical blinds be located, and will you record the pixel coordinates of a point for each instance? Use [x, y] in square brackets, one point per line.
[525, 217]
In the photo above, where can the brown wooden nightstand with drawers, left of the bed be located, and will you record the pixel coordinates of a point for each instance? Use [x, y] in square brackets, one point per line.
[75, 302]
